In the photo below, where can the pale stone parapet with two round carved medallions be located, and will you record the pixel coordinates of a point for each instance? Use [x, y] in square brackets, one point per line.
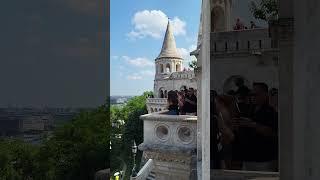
[169, 132]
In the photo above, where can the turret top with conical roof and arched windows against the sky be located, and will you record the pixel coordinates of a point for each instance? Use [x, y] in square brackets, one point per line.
[169, 59]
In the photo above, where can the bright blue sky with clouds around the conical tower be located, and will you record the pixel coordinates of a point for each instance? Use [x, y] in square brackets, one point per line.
[136, 35]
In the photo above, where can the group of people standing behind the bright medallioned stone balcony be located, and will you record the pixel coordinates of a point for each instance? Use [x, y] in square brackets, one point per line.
[182, 102]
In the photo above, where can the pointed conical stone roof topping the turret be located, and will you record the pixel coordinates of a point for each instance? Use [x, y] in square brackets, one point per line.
[169, 49]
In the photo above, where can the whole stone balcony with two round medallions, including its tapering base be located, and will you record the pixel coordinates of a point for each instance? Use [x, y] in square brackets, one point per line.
[170, 141]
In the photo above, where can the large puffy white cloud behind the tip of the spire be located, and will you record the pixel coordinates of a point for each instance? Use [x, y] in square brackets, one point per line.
[153, 24]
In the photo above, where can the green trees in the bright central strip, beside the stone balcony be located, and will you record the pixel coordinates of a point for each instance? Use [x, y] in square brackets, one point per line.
[132, 130]
